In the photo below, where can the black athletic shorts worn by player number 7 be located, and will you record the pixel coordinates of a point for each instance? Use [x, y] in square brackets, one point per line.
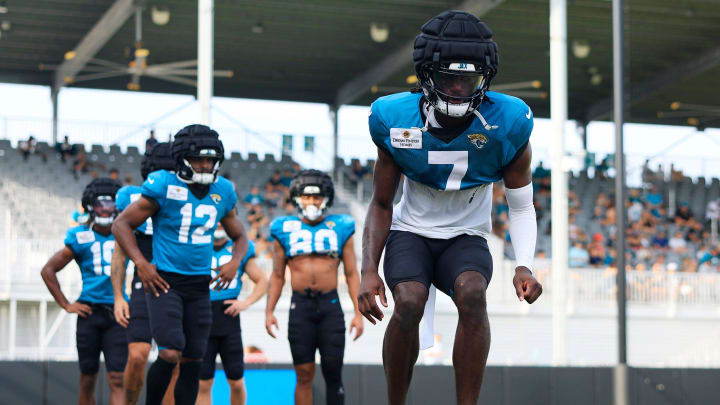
[411, 257]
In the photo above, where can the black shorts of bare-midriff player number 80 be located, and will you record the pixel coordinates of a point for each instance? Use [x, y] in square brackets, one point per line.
[316, 322]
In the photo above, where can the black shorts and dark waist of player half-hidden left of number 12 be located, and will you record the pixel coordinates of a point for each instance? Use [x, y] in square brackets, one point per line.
[138, 329]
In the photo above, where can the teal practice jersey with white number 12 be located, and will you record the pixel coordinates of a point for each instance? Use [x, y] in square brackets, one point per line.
[183, 225]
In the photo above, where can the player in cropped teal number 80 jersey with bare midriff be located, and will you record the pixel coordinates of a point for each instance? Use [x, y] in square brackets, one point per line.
[313, 245]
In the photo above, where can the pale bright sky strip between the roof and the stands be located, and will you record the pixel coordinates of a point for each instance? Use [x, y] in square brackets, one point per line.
[123, 117]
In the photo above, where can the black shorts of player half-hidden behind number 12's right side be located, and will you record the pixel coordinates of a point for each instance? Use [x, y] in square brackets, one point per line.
[225, 340]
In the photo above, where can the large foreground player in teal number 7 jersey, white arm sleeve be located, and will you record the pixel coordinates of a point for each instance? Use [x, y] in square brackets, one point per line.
[451, 139]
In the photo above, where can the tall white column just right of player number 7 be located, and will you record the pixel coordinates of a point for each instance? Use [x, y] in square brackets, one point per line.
[559, 209]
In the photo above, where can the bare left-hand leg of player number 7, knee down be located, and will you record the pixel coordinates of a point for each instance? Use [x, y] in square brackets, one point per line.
[402, 342]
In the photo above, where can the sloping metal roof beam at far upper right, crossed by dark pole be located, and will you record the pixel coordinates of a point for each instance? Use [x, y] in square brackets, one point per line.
[659, 82]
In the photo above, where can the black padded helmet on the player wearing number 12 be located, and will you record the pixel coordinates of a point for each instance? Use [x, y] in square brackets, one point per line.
[197, 141]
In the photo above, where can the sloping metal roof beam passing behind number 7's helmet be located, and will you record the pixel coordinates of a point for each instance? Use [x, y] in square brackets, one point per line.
[401, 57]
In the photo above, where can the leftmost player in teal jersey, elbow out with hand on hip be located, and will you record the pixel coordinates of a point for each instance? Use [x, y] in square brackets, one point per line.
[91, 246]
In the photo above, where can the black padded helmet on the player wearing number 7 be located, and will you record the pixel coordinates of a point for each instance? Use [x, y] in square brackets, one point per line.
[455, 59]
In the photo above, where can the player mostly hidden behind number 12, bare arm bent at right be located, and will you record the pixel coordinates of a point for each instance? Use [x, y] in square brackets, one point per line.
[225, 337]
